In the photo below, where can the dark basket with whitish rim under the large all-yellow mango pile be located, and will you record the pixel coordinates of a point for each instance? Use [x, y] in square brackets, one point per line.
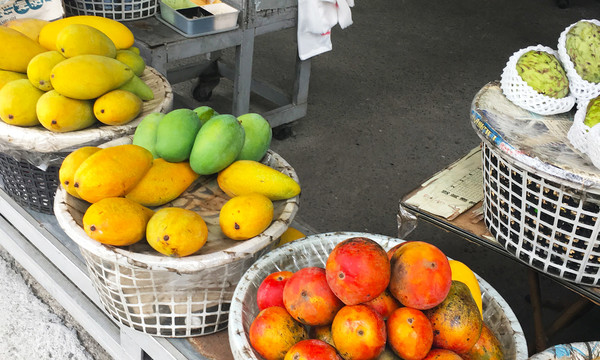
[30, 157]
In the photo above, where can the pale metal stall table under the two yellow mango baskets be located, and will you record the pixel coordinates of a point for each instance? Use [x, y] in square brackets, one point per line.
[40, 245]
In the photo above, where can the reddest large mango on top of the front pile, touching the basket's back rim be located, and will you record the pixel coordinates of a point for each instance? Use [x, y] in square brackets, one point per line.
[358, 270]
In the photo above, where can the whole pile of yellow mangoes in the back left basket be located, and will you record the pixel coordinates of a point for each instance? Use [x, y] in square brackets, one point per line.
[68, 74]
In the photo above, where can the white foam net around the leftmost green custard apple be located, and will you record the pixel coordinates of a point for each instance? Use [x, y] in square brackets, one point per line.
[520, 93]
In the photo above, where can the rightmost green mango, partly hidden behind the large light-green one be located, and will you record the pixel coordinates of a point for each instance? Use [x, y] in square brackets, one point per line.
[258, 137]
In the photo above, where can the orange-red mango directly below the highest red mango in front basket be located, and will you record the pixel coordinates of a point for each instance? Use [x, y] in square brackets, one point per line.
[359, 332]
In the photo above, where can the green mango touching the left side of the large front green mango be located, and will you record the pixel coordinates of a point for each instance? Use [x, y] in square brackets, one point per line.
[176, 134]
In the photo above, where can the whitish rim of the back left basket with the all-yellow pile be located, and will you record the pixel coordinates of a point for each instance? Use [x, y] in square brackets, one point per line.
[39, 139]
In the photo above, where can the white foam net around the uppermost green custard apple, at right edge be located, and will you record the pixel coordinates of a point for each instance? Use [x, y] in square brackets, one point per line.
[580, 88]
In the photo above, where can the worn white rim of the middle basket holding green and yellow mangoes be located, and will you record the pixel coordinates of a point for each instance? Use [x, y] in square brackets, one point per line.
[186, 264]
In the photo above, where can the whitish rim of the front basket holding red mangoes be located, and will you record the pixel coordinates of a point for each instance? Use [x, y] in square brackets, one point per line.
[238, 342]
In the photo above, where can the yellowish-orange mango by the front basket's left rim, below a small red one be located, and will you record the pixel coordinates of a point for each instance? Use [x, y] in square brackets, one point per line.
[273, 332]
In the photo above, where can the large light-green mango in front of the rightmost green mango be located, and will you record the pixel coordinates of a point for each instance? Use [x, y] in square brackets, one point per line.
[217, 144]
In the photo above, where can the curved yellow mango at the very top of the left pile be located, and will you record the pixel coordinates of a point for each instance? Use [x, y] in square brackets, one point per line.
[120, 35]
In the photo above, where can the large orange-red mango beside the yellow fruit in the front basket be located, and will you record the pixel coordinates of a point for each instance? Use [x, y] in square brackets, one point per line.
[421, 275]
